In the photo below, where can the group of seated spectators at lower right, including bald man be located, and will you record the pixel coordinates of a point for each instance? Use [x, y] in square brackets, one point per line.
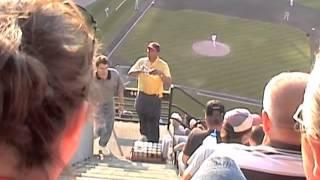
[251, 146]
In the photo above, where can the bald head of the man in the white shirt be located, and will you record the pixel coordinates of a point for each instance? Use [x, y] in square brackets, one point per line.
[282, 95]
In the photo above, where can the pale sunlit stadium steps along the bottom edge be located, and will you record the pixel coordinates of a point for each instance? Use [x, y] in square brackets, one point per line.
[121, 169]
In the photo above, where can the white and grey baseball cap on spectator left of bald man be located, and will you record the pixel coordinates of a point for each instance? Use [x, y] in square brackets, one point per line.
[241, 119]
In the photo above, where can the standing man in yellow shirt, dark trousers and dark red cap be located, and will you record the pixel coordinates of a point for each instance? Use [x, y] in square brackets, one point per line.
[153, 74]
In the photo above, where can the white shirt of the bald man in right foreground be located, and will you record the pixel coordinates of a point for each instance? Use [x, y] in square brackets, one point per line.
[254, 158]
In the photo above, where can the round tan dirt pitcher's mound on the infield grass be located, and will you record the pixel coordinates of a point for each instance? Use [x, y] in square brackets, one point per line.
[206, 48]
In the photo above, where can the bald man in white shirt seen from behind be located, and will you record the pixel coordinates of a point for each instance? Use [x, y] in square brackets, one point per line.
[280, 155]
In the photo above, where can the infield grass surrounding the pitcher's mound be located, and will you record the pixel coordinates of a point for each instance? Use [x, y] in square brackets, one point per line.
[259, 50]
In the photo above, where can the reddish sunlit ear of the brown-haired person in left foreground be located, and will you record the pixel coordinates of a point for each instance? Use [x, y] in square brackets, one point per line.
[71, 136]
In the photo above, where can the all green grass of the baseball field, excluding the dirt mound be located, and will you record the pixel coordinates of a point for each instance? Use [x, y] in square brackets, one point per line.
[259, 47]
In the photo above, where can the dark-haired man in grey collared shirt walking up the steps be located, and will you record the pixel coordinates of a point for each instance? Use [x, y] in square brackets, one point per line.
[105, 85]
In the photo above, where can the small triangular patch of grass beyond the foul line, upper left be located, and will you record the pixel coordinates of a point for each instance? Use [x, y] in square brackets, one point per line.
[109, 27]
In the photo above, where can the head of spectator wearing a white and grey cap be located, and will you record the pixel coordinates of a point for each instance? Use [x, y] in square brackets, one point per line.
[237, 126]
